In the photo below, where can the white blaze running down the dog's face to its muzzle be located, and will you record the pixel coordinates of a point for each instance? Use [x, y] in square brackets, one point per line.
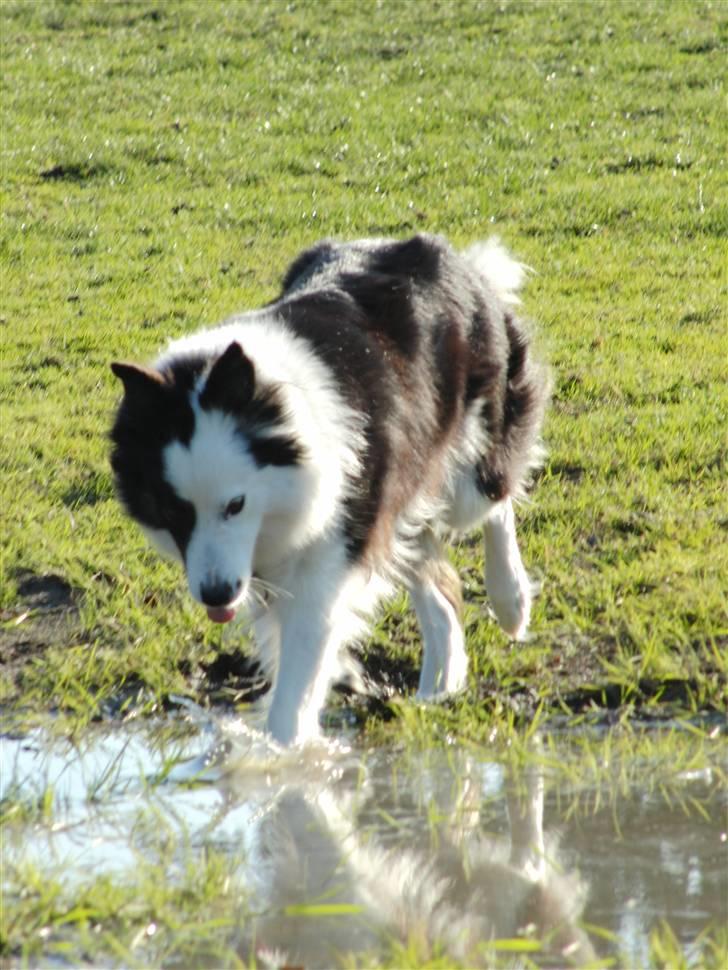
[213, 471]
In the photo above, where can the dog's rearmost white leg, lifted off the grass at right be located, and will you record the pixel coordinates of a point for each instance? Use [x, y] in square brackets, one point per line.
[506, 582]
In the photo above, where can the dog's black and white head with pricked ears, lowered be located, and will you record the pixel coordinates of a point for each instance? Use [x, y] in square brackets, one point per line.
[195, 443]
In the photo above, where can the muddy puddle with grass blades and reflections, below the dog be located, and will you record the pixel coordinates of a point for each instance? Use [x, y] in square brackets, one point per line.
[571, 856]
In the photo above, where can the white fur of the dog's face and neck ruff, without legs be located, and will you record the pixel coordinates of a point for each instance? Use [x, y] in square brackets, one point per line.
[286, 509]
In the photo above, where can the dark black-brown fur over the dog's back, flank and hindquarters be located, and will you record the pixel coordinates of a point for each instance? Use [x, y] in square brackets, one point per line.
[396, 321]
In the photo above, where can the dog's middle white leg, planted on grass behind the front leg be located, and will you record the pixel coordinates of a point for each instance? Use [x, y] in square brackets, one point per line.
[437, 598]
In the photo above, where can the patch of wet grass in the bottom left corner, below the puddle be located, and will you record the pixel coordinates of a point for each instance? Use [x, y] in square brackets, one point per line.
[189, 918]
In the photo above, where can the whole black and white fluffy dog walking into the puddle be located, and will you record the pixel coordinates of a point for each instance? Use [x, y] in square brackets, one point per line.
[303, 459]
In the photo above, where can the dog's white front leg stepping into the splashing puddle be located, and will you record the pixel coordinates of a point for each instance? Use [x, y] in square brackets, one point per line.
[315, 623]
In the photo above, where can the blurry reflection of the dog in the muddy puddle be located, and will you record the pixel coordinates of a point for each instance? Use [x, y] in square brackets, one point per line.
[333, 879]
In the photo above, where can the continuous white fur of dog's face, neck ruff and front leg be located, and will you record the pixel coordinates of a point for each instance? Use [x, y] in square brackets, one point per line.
[288, 531]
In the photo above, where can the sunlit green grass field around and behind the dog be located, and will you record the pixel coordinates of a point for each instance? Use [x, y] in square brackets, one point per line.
[161, 165]
